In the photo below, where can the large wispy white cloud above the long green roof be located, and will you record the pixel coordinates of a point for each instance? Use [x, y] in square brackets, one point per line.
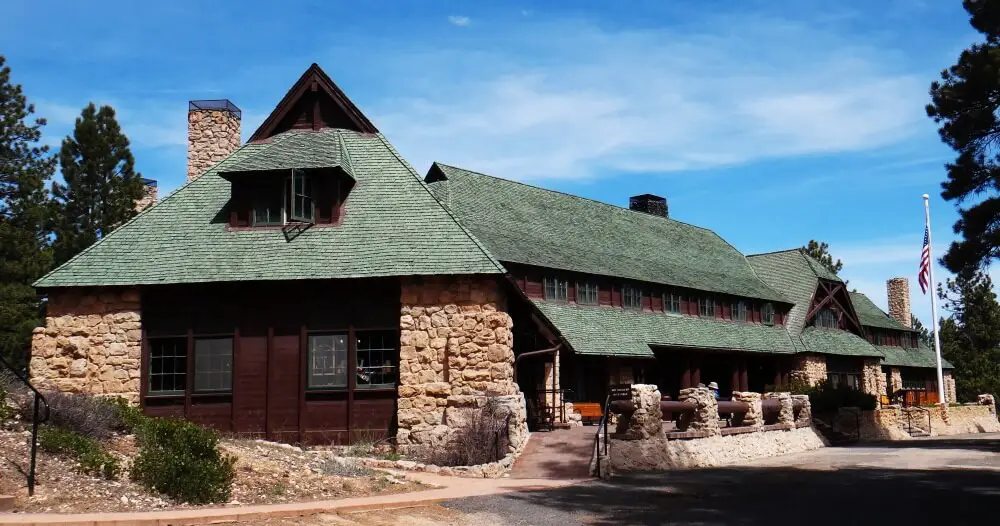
[572, 100]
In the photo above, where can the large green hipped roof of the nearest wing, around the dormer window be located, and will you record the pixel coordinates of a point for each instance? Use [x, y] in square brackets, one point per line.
[392, 226]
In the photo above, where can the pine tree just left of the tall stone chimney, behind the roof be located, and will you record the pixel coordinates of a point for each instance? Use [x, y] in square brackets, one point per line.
[101, 184]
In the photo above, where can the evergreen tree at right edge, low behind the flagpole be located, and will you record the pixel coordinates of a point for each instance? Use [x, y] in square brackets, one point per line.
[971, 335]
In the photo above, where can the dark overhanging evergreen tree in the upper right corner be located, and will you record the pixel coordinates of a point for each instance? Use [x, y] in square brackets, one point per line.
[965, 105]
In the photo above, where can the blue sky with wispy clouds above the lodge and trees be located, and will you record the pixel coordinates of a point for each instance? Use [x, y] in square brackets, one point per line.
[771, 122]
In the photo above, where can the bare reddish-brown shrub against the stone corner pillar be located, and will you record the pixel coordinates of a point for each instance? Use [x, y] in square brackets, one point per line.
[483, 439]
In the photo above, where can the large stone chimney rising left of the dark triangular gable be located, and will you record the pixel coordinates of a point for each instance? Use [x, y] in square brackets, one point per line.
[213, 133]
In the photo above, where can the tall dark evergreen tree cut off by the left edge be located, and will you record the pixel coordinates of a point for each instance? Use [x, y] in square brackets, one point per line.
[25, 166]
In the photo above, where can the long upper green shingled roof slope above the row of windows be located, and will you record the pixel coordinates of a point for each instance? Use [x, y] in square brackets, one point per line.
[529, 225]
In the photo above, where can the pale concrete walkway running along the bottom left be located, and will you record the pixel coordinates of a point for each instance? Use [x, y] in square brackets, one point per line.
[447, 488]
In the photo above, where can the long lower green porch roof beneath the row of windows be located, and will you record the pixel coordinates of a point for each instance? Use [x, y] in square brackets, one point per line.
[611, 331]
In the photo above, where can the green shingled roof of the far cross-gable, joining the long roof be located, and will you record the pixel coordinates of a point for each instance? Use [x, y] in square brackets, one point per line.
[795, 275]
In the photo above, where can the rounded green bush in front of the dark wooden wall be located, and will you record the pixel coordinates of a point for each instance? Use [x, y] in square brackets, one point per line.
[182, 460]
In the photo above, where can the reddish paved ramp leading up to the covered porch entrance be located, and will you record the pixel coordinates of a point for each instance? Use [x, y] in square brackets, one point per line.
[562, 454]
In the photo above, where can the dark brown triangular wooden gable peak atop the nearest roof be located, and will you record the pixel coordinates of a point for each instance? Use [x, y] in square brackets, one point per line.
[313, 102]
